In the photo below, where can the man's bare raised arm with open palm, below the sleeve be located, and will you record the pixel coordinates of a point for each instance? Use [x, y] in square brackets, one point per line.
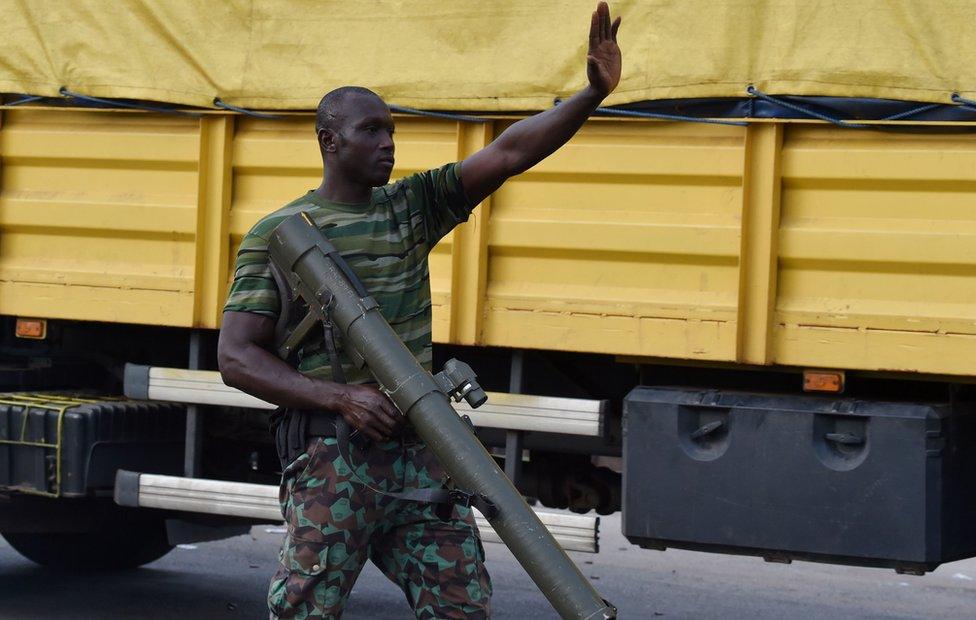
[531, 140]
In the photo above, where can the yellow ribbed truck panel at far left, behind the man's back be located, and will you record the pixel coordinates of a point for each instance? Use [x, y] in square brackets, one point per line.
[97, 216]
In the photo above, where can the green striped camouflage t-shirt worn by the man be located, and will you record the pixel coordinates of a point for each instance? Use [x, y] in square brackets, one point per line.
[386, 241]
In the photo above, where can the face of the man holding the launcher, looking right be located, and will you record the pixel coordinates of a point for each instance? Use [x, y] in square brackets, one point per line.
[364, 141]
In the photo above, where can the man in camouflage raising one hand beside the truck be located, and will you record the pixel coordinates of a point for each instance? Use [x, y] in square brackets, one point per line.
[336, 509]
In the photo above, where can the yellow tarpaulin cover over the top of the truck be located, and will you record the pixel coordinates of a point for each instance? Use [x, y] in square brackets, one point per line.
[482, 55]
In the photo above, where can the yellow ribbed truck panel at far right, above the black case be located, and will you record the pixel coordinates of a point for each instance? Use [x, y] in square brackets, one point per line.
[877, 251]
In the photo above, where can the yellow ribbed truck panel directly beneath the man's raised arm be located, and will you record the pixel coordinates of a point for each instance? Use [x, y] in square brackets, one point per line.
[625, 240]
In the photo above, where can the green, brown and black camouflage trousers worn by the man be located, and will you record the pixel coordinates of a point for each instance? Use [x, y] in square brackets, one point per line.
[335, 523]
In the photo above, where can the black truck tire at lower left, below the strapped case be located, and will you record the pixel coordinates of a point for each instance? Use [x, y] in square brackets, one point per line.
[128, 545]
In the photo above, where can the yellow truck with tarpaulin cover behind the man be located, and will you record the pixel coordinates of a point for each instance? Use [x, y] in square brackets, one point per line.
[739, 306]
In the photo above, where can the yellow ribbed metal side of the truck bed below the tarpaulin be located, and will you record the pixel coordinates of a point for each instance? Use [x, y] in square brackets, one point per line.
[784, 243]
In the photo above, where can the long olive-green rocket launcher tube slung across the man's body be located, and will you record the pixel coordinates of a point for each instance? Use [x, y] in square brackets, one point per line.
[316, 272]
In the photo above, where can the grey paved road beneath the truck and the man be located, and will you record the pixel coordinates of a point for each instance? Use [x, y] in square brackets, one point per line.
[227, 579]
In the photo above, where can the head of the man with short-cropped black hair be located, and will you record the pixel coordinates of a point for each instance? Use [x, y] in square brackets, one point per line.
[355, 135]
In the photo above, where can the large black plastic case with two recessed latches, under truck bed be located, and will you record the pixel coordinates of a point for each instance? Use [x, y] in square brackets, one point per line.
[804, 477]
